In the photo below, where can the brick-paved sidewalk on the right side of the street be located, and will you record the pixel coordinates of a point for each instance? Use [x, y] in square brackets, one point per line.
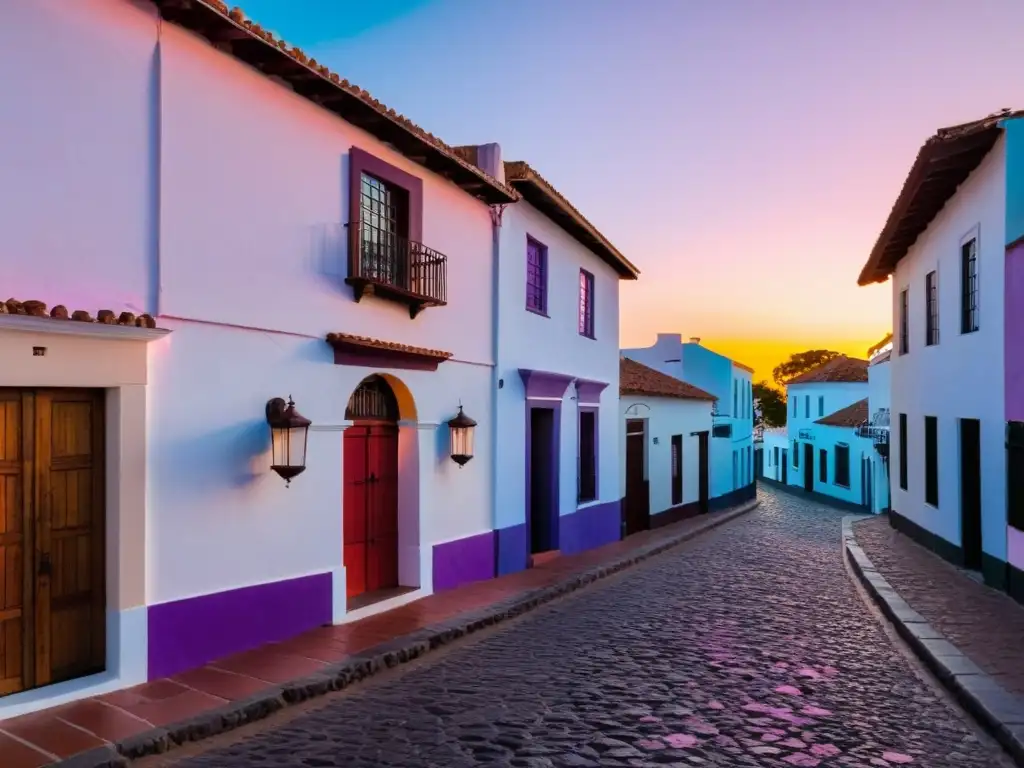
[988, 626]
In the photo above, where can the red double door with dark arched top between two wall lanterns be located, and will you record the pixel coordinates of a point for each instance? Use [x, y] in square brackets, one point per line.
[371, 489]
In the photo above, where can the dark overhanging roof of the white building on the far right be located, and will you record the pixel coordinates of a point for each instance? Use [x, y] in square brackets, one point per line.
[944, 163]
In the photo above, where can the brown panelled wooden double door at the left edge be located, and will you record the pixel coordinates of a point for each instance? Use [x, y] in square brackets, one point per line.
[53, 586]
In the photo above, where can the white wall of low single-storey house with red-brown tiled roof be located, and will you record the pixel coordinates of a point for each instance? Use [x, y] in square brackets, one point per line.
[667, 417]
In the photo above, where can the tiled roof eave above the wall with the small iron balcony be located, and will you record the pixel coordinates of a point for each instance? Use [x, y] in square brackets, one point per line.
[229, 31]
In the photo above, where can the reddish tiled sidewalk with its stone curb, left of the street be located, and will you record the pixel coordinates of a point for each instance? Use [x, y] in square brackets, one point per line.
[110, 730]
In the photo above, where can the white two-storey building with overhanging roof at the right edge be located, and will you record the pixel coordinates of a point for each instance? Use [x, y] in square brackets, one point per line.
[952, 246]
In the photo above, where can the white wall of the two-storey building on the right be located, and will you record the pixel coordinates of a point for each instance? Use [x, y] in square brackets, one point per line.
[963, 376]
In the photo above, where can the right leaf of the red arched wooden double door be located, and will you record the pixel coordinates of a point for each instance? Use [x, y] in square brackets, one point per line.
[382, 508]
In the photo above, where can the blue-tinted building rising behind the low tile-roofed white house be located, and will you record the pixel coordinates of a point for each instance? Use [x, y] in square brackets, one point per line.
[731, 383]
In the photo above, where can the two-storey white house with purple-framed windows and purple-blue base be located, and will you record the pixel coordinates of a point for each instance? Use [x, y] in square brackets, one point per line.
[558, 374]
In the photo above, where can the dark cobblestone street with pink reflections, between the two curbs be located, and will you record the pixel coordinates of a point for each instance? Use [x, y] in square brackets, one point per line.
[748, 647]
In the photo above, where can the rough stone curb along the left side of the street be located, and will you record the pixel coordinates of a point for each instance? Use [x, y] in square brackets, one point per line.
[371, 662]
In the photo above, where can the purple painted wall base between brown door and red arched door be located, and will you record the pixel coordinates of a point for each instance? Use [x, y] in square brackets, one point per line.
[190, 633]
